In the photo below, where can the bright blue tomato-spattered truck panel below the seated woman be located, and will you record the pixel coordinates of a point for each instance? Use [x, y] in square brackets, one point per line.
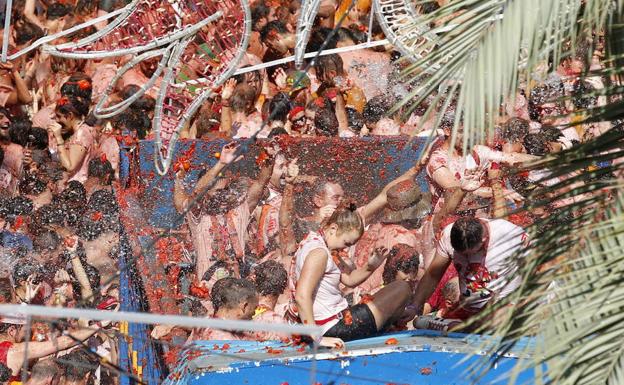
[417, 357]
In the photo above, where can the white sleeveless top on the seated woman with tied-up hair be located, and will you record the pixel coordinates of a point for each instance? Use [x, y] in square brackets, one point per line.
[328, 299]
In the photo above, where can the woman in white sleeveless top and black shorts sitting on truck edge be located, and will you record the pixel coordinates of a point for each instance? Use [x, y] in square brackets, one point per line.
[316, 295]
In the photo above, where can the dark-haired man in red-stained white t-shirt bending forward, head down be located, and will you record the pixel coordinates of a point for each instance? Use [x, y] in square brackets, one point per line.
[482, 251]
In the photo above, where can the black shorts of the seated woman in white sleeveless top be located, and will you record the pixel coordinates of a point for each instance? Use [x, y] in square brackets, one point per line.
[357, 322]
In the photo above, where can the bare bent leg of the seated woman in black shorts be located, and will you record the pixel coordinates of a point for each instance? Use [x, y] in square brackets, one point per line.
[389, 302]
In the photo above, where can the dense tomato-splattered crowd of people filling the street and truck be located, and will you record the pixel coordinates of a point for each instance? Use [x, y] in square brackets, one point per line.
[354, 270]
